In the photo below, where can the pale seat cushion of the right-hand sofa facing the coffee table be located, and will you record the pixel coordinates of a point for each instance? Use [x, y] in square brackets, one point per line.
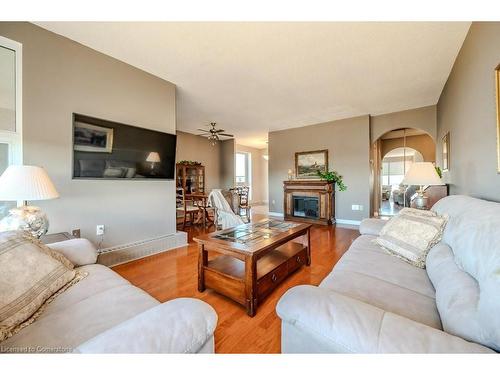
[369, 274]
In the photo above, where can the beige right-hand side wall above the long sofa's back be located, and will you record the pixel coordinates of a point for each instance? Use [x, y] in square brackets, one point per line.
[466, 109]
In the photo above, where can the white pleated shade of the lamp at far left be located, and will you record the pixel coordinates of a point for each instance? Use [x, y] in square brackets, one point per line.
[26, 183]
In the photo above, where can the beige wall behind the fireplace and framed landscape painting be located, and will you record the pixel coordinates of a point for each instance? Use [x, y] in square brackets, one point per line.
[348, 144]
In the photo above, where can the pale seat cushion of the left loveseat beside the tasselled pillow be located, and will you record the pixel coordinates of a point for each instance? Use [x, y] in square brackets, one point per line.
[100, 301]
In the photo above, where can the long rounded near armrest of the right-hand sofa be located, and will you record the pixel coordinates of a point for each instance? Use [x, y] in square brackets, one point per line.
[351, 326]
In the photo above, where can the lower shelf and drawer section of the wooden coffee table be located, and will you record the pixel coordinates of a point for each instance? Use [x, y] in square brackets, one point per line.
[228, 275]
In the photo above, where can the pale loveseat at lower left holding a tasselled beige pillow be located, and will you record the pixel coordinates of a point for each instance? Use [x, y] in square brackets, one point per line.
[104, 313]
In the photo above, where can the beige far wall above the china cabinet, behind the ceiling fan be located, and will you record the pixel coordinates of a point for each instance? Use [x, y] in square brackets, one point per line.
[196, 148]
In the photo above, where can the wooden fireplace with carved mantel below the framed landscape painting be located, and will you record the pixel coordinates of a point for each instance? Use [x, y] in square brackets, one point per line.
[323, 191]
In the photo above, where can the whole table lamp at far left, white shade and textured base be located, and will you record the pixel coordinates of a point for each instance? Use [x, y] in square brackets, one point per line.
[26, 183]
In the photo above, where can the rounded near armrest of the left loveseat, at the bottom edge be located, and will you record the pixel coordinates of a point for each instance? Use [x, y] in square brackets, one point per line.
[182, 325]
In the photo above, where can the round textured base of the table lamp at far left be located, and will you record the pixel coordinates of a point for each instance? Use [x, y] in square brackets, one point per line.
[28, 218]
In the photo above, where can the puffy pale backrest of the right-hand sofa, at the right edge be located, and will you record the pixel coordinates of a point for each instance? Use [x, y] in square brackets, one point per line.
[473, 235]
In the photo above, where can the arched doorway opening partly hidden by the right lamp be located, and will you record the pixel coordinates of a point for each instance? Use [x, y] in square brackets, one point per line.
[392, 155]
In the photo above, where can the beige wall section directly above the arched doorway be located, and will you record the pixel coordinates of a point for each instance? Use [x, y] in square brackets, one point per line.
[418, 118]
